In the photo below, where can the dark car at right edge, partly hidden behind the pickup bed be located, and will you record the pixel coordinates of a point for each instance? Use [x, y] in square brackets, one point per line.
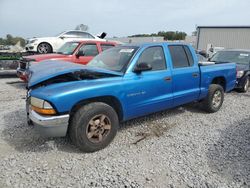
[242, 60]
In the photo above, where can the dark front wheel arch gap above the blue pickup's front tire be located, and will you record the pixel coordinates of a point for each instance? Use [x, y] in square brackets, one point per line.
[109, 100]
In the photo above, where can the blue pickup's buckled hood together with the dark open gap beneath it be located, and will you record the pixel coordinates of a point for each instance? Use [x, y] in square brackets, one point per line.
[52, 72]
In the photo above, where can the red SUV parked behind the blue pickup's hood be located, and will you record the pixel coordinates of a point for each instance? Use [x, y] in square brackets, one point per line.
[77, 52]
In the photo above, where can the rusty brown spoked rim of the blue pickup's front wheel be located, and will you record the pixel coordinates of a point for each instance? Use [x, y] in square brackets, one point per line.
[98, 128]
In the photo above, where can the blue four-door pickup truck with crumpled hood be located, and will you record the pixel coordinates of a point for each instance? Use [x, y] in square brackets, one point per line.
[88, 102]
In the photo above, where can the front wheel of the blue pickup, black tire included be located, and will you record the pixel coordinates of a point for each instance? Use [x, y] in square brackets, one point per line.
[80, 126]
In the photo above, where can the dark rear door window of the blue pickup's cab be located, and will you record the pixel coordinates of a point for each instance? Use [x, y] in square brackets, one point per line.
[179, 57]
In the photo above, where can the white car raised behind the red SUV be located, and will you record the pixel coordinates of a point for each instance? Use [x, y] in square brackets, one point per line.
[52, 44]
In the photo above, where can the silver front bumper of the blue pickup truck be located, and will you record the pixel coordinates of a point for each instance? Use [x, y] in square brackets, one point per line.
[49, 126]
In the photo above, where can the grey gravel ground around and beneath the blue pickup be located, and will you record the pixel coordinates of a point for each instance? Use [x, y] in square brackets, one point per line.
[183, 147]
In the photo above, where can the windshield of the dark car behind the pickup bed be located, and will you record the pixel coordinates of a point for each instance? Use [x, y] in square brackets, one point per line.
[238, 57]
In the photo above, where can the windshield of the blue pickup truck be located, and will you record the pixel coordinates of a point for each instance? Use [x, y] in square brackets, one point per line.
[115, 59]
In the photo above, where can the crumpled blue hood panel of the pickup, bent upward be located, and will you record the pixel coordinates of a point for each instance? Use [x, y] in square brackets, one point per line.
[52, 68]
